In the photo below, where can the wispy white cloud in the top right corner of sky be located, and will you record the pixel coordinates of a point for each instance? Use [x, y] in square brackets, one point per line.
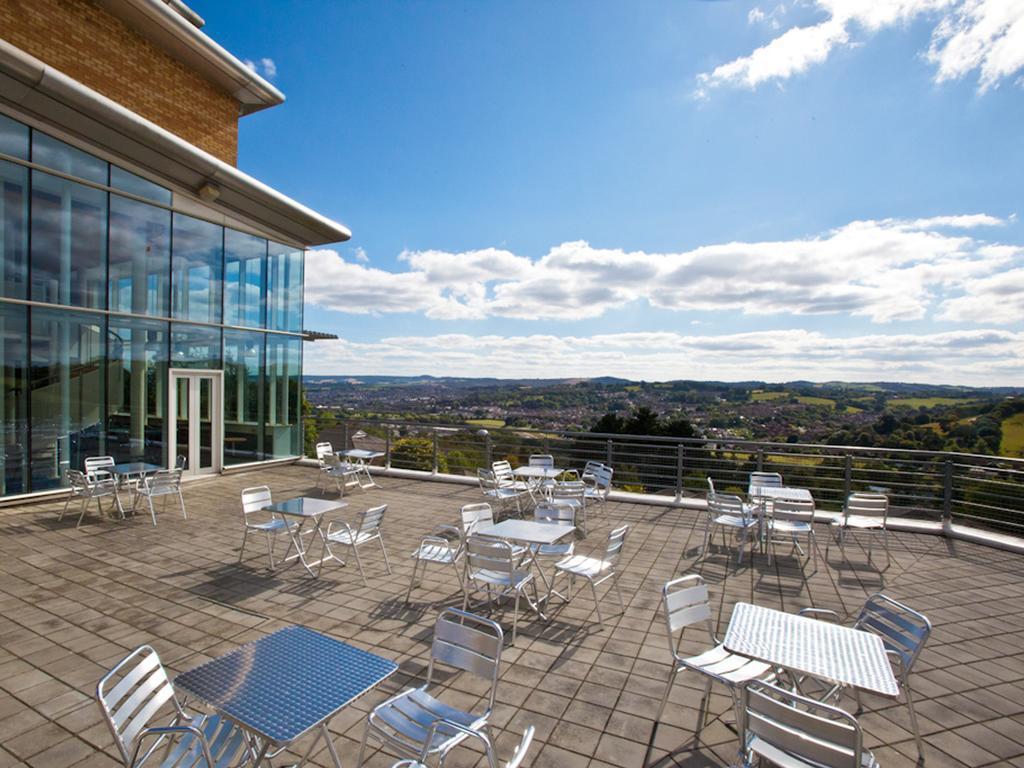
[983, 36]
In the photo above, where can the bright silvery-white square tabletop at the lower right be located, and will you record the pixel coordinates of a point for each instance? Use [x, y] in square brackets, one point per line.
[822, 650]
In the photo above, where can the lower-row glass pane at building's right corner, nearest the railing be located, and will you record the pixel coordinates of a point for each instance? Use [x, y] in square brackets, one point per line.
[284, 424]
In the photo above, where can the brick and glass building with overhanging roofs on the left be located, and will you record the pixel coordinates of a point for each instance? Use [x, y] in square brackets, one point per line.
[151, 293]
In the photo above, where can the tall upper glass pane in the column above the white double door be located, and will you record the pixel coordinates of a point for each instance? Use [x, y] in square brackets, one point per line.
[197, 264]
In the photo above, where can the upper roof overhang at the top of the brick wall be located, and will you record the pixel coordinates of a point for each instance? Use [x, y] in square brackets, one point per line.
[167, 26]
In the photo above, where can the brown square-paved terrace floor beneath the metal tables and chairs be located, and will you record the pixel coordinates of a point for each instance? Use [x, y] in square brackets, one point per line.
[74, 602]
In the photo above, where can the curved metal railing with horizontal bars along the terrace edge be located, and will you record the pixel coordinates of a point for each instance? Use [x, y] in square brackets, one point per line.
[984, 491]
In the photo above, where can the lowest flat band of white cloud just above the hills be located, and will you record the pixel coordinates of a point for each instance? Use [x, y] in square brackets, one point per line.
[986, 357]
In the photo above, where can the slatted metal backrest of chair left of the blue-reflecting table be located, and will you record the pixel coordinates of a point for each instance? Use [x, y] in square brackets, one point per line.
[132, 695]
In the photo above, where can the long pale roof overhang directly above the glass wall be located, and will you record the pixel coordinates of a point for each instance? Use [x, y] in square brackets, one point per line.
[56, 99]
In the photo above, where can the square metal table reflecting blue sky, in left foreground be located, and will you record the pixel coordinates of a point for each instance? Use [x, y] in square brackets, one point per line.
[287, 685]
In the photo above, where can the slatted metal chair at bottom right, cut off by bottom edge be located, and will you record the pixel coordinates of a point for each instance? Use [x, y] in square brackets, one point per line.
[788, 730]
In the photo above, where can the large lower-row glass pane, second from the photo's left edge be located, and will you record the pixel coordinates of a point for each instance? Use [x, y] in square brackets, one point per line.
[67, 394]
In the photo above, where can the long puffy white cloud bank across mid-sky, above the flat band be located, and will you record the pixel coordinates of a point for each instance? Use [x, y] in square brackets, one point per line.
[887, 271]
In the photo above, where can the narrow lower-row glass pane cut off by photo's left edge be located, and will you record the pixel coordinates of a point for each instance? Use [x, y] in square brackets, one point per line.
[14, 400]
